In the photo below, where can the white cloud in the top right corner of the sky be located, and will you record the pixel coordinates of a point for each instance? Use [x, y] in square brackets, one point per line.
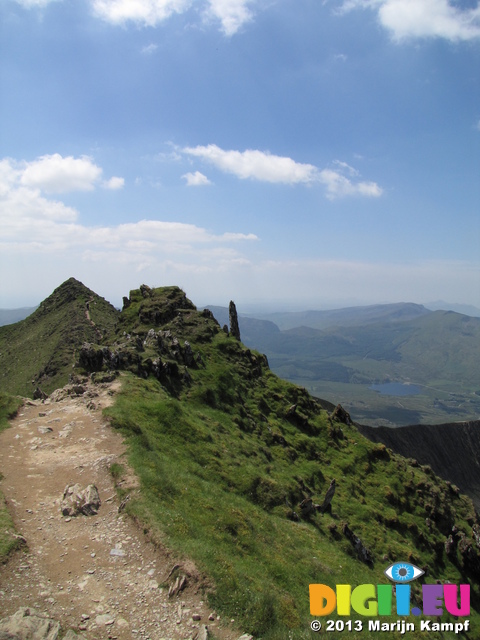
[424, 18]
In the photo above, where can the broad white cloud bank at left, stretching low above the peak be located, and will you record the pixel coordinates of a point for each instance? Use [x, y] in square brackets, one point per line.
[32, 222]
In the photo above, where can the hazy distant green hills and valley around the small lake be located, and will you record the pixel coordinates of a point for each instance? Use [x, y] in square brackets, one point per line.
[437, 351]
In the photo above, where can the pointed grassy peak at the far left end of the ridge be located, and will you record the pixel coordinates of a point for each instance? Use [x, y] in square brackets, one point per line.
[40, 351]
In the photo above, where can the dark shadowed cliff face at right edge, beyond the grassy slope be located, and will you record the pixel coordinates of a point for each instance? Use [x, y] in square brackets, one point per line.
[452, 450]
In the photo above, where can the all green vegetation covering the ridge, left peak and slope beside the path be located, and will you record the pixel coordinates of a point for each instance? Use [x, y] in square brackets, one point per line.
[226, 451]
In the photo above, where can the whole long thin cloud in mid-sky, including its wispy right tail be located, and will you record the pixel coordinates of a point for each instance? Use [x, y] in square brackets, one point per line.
[267, 167]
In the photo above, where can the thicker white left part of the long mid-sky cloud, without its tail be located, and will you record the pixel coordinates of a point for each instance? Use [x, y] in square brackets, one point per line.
[258, 165]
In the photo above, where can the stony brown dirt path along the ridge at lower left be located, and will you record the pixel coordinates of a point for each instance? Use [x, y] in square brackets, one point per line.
[98, 575]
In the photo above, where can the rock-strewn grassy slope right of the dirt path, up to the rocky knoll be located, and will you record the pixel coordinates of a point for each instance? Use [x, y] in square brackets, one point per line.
[219, 459]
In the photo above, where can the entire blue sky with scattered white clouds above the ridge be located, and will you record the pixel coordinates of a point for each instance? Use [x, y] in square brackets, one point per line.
[285, 153]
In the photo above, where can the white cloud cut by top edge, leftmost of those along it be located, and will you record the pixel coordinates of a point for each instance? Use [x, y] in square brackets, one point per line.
[144, 12]
